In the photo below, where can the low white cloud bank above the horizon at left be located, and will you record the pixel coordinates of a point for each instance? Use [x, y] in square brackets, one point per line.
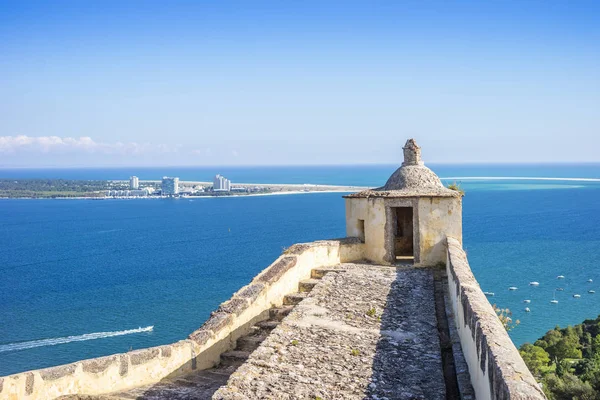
[85, 144]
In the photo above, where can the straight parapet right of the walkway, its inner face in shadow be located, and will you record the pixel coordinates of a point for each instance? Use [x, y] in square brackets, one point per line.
[497, 370]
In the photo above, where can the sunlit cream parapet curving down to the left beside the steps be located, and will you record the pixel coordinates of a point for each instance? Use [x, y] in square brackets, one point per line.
[202, 349]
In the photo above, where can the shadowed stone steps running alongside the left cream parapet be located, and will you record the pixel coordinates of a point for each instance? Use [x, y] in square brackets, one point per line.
[201, 385]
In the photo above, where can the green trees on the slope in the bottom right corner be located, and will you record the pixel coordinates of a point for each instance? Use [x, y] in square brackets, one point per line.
[567, 361]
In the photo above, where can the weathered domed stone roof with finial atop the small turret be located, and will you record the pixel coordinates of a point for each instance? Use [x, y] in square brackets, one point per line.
[412, 179]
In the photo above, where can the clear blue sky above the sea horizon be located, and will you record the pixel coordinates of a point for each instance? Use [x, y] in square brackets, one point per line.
[85, 83]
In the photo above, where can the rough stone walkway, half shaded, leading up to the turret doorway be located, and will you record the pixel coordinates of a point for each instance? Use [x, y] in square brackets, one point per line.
[365, 332]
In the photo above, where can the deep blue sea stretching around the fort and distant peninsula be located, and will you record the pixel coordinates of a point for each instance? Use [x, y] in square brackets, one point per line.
[75, 267]
